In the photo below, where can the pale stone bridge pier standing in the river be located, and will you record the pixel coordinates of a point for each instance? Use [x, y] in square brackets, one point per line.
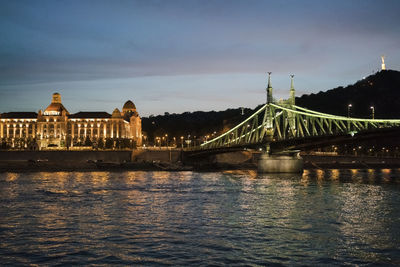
[280, 163]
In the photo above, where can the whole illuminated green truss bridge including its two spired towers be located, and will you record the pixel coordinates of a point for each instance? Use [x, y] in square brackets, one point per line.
[284, 125]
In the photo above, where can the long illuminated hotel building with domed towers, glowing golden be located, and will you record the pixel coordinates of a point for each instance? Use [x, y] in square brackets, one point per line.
[56, 128]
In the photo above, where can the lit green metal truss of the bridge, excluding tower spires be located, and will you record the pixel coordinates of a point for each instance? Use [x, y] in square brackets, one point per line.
[273, 122]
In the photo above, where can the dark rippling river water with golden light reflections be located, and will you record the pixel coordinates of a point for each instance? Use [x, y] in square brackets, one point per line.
[331, 217]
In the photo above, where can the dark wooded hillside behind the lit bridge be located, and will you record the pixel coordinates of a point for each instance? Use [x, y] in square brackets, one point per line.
[381, 90]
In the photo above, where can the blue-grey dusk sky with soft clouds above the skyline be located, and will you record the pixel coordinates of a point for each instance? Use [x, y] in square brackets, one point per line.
[177, 56]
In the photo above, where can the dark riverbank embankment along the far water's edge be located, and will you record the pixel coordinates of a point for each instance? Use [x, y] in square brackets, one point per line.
[168, 160]
